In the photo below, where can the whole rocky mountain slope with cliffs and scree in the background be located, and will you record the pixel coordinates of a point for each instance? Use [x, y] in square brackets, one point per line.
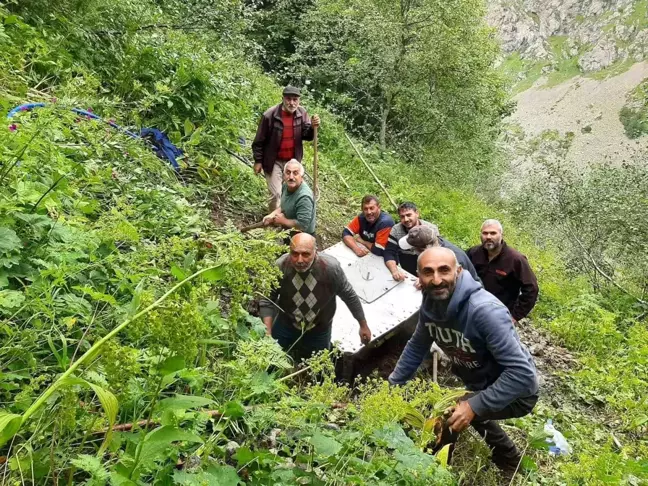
[577, 68]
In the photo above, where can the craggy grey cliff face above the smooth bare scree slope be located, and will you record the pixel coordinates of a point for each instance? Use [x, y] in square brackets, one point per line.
[596, 33]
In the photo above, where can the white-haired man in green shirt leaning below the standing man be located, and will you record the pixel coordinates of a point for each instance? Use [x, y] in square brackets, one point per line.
[297, 210]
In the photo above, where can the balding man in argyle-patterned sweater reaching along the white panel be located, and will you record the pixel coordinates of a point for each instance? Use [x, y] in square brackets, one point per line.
[299, 313]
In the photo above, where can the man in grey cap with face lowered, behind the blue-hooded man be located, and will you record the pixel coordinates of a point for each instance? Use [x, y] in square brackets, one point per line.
[421, 237]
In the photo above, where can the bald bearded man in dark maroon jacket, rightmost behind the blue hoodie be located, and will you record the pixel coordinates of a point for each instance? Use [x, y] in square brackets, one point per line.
[504, 271]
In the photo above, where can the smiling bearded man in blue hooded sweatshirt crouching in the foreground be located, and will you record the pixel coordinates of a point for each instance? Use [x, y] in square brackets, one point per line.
[476, 331]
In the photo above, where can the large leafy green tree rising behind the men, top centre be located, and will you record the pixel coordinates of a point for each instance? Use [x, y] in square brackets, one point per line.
[406, 73]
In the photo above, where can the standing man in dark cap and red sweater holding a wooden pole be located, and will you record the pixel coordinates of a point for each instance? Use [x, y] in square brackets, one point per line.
[279, 139]
